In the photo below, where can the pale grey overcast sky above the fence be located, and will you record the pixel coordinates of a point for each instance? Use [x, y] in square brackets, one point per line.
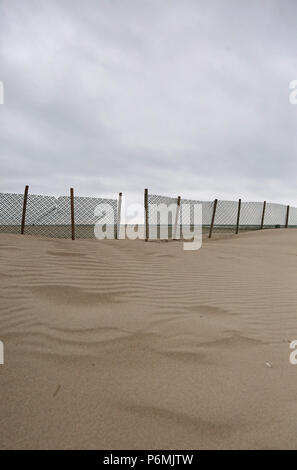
[186, 98]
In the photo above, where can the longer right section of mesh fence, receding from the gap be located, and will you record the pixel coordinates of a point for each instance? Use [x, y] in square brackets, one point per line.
[218, 217]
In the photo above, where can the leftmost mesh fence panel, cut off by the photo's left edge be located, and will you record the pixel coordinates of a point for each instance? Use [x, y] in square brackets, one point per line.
[11, 208]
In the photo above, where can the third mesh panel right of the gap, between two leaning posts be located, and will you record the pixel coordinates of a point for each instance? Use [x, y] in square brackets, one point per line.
[225, 217]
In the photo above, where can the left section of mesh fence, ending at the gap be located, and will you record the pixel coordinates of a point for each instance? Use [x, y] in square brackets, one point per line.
[49, 216]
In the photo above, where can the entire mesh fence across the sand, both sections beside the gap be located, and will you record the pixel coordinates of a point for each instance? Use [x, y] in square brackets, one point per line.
[165, 217]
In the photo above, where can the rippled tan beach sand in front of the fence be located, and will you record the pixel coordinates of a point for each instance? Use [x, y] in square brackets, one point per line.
[134, 345]
